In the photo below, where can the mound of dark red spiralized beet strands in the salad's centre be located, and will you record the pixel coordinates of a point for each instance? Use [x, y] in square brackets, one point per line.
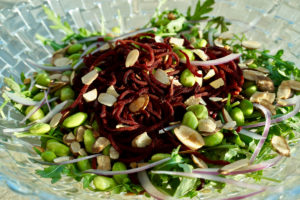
[165, 104]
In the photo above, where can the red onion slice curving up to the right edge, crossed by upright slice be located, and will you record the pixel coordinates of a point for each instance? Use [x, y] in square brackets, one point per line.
[296, 102]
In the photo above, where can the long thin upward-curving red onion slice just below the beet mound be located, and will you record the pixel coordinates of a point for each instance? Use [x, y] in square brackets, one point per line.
[129, 171]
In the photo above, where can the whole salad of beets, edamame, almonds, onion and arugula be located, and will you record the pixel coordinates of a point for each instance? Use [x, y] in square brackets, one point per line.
[168, 110]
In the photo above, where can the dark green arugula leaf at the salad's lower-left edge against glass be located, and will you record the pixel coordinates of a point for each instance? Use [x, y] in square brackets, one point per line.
[54, 172]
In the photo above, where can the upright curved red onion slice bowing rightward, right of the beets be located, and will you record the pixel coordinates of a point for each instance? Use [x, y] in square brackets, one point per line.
[267, 114]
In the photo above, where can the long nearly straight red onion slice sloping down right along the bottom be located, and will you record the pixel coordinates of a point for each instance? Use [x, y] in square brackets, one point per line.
[213, 178]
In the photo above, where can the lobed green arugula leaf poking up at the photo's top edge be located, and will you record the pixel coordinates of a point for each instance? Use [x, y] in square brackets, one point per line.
[200, 10]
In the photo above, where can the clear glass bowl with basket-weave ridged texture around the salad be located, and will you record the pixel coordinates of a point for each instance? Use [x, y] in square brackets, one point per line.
[275, 23]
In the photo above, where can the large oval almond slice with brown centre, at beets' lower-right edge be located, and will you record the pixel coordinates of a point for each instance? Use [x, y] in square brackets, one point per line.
[189, 137]
